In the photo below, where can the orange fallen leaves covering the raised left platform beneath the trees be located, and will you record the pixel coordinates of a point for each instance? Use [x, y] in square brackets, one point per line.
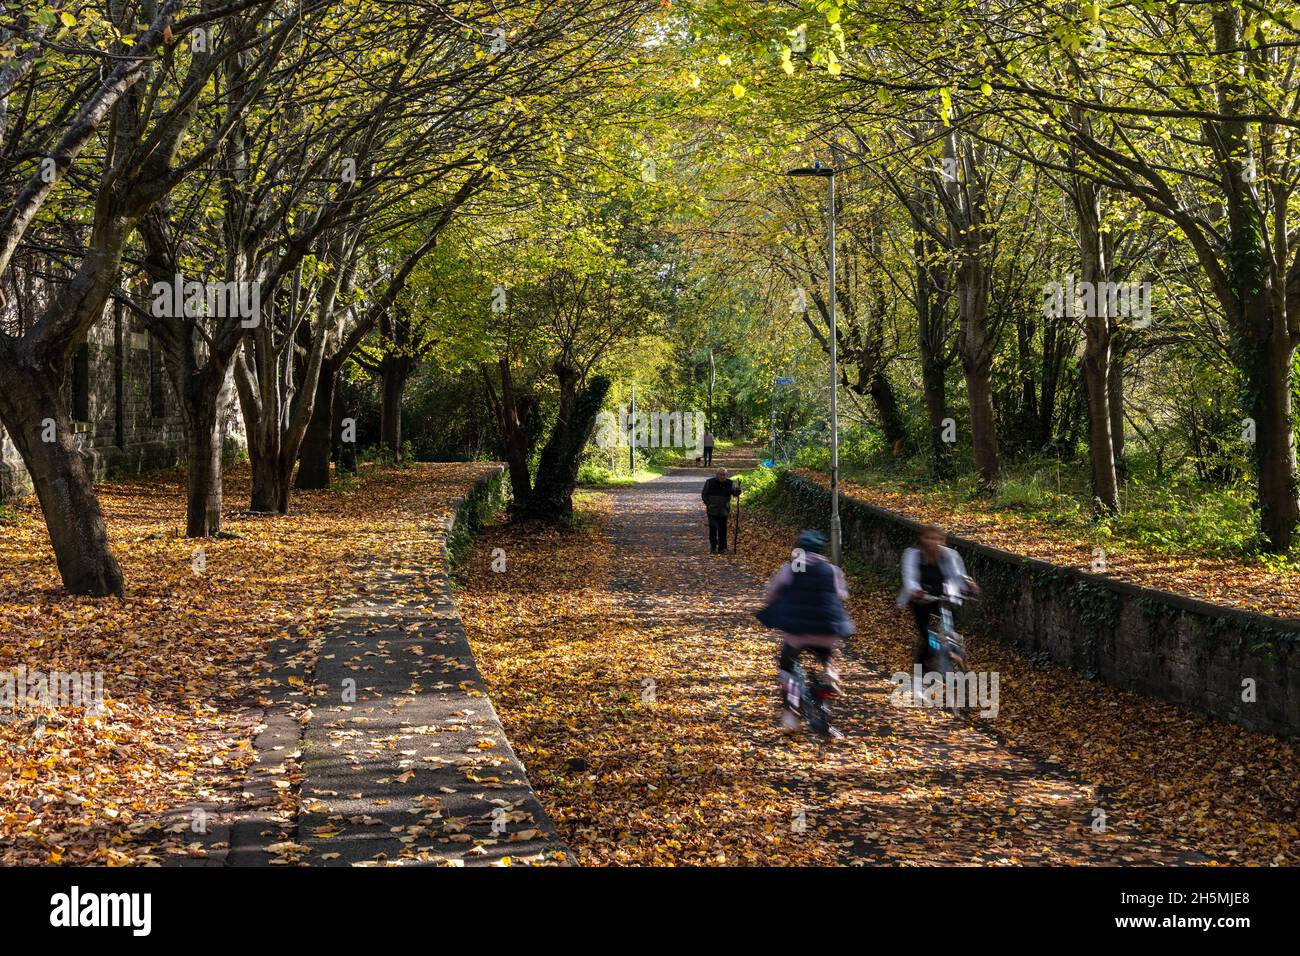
[184, 656]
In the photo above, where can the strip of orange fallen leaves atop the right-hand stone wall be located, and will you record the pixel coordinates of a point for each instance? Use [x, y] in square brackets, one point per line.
[1221, 581]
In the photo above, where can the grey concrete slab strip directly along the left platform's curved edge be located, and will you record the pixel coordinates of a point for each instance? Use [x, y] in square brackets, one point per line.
[405, 762]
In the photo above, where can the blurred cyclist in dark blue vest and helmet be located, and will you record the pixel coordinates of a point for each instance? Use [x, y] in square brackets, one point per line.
[805, 602]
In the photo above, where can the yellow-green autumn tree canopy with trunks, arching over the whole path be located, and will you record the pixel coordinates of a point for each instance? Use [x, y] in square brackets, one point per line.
[1064, 232]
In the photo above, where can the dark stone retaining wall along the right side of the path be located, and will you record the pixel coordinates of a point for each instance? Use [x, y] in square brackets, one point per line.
[1190, 652]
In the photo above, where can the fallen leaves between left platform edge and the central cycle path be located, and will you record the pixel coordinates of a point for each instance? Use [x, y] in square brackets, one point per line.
[627, 780]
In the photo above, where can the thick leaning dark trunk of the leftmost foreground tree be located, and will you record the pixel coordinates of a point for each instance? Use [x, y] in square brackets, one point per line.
[31, 406]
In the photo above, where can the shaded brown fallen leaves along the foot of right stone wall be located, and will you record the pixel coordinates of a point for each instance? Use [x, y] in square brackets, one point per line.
[1172, 775]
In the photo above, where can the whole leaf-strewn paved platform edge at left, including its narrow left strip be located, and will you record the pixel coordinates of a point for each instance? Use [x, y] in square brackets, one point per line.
[393, 755]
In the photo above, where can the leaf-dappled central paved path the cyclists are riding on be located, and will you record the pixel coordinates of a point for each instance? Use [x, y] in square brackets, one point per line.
[908, 785]
